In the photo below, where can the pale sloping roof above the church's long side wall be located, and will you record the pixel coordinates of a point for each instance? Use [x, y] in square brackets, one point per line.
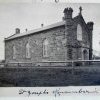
[36, 30]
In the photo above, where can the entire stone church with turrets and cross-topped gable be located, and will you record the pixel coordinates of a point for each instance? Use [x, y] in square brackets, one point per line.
[70, 39]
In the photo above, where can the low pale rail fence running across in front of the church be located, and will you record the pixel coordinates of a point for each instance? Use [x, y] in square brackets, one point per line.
[51, 63]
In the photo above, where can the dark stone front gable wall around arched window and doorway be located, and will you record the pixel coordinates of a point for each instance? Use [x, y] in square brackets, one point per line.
[73, 44]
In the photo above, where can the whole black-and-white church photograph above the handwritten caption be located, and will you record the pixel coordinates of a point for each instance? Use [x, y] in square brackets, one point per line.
[49, 44]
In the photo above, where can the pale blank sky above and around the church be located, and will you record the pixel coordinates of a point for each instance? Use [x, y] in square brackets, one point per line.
[31, 14]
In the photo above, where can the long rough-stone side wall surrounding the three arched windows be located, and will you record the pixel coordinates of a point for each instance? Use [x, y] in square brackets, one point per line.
[57, 48]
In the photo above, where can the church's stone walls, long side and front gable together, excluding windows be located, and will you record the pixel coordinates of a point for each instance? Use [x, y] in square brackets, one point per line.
[62, 44]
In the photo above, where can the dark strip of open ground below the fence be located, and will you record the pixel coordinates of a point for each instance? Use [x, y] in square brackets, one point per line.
[47, 76]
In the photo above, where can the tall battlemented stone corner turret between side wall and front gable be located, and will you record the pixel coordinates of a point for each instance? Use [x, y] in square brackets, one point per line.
[68, 33]
